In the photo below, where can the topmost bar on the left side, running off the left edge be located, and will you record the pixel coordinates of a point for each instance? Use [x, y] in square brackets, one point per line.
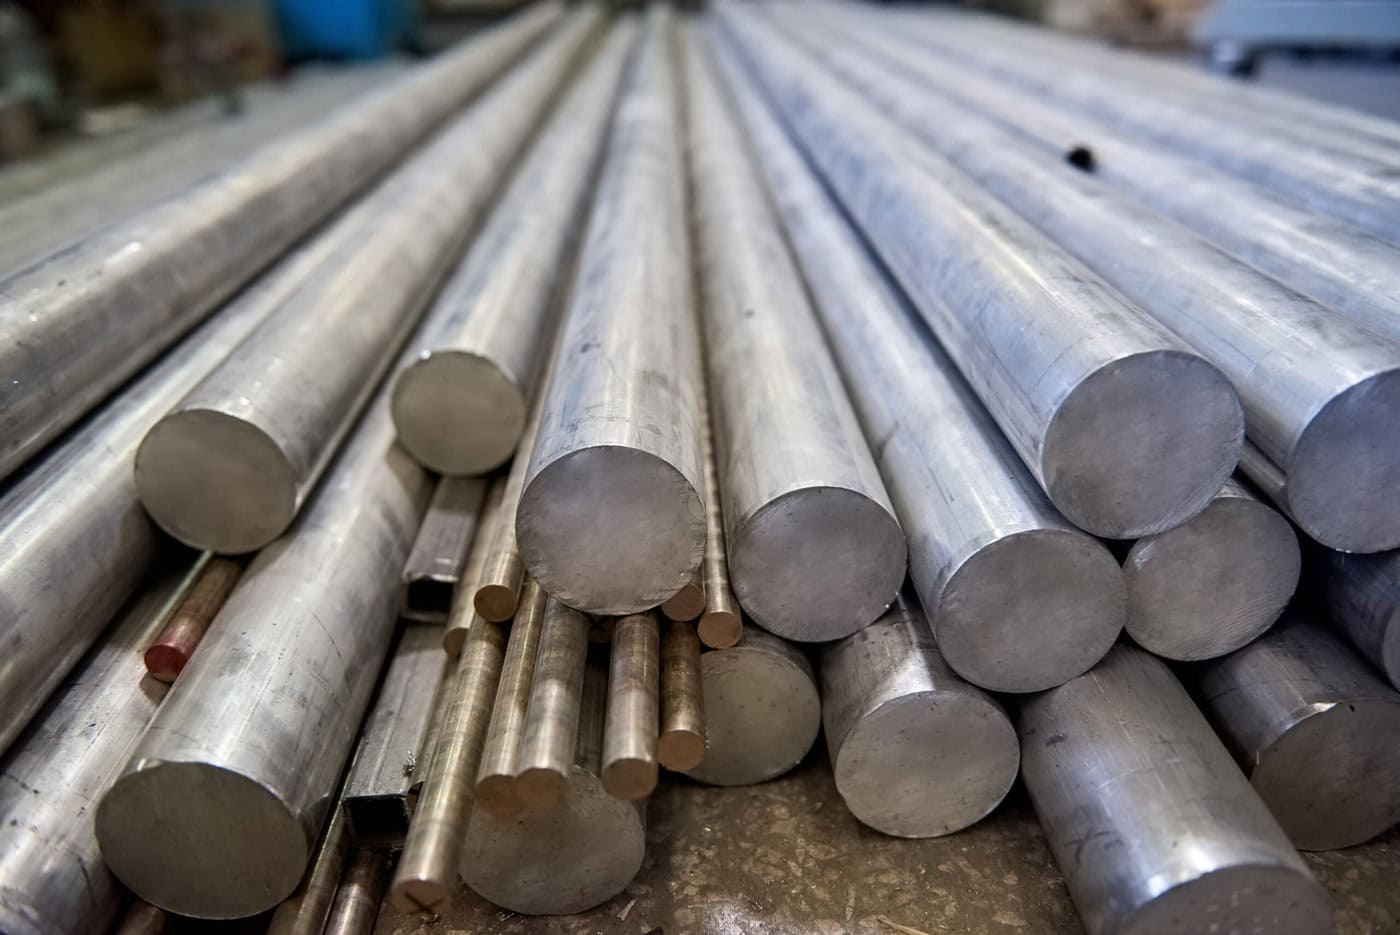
[80, 324]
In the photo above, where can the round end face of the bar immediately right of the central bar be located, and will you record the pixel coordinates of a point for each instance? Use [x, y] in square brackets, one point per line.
[818, 563]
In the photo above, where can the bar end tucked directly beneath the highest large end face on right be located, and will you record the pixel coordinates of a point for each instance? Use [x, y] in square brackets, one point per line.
[1214, 583]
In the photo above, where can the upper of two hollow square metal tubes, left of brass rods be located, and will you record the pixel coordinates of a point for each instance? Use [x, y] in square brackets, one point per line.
[435, 569]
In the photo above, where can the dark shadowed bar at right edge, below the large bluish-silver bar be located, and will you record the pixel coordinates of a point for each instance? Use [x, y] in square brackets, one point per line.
[1363, 600]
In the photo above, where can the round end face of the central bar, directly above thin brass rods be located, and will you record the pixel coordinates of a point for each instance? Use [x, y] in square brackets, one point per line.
[611, 530]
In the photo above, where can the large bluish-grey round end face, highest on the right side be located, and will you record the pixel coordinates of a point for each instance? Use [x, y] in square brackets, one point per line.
[1143, 444]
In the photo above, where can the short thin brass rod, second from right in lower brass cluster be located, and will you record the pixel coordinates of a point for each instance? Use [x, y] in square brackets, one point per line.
[629, 765]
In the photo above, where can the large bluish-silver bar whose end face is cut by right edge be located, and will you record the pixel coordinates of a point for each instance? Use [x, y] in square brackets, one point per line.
[1318, 388]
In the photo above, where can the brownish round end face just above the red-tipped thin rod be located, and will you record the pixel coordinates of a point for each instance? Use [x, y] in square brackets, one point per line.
[216, 482]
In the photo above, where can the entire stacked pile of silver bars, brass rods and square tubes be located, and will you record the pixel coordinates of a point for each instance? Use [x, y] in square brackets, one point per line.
[569, 345]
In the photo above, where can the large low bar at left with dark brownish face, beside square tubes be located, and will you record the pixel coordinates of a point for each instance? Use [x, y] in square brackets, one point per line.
[219, 808]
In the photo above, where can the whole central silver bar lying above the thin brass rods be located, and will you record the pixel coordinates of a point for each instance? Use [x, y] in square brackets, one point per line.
[618, 456]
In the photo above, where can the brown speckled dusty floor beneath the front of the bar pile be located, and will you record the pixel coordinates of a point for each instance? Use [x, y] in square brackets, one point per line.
[787, 859]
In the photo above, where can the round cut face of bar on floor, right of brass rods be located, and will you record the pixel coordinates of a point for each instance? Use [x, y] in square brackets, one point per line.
[927, 765]
